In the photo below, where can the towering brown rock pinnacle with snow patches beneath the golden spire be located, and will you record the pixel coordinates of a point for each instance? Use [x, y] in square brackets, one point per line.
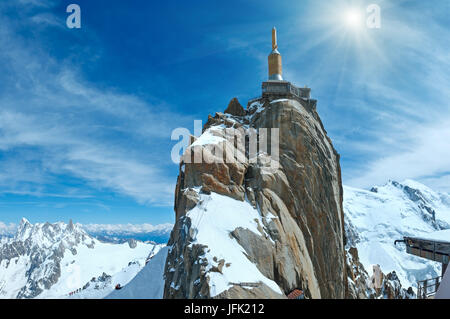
[292, 217]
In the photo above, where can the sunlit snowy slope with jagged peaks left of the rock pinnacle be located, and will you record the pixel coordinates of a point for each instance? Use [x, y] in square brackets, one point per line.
[52, 260]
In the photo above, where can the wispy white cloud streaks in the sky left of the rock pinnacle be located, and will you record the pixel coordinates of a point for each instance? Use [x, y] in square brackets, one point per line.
[53, 122]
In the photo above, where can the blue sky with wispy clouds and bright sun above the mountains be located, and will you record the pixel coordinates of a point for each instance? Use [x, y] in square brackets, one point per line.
[86, 114]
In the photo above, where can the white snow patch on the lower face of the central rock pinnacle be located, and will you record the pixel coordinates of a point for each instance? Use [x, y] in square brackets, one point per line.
[213, 219]
